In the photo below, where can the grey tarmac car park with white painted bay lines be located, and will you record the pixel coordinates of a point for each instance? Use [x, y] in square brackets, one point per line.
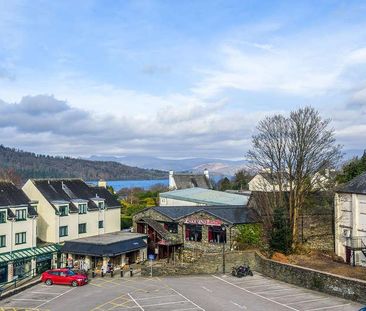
[208, 293]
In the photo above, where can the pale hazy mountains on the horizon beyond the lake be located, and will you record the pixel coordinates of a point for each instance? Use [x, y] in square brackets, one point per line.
[215, 166]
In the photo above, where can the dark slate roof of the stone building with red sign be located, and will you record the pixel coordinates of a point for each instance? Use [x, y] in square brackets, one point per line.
[230, 214]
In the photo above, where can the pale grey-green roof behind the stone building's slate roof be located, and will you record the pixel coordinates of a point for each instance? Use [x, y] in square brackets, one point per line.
[206, 196]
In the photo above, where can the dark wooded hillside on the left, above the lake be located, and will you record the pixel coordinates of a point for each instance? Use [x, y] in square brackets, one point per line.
[31, 165]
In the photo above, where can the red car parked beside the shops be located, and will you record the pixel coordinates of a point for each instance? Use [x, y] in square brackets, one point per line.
[64, 276]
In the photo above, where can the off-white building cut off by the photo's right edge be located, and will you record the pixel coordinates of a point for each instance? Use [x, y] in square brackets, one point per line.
[350, 221]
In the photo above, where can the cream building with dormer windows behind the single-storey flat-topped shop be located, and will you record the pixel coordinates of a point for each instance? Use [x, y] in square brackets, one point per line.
[69, 209]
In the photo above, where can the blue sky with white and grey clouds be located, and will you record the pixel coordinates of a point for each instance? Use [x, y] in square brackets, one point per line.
[176, 79]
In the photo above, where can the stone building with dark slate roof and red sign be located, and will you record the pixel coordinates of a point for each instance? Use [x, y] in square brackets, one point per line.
[206, 228]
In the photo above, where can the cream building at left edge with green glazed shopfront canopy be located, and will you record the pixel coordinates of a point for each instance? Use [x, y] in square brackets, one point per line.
[19, 255]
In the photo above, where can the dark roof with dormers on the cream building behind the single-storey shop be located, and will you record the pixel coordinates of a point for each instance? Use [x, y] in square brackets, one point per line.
[74, 189]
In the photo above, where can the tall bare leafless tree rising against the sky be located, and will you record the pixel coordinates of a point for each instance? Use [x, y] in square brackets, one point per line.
[293, 149]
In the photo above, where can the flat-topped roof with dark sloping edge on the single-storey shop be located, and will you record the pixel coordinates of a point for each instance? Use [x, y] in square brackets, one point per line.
[109, 244]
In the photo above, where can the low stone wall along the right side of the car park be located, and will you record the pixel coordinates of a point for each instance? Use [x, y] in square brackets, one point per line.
[336, 285]
